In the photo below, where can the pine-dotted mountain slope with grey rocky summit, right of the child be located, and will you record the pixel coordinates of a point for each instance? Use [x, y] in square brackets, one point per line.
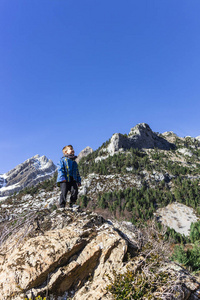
[131, 176]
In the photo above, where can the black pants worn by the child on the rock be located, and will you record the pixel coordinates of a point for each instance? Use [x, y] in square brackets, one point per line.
[68, 187]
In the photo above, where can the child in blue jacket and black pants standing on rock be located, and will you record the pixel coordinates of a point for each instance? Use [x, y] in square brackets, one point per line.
[68, 176]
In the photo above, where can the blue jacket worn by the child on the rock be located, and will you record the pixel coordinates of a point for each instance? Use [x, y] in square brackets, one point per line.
[68, 170]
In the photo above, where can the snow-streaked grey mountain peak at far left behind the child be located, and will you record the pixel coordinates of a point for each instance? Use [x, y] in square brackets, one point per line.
[29, 173]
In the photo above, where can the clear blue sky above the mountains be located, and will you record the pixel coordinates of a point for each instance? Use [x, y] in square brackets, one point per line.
[75, 72]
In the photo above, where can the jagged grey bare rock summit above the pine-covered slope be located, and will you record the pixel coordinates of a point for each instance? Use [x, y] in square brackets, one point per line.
[140, 136]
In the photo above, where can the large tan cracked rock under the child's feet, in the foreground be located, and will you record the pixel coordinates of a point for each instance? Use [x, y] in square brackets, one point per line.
[62, 252]
